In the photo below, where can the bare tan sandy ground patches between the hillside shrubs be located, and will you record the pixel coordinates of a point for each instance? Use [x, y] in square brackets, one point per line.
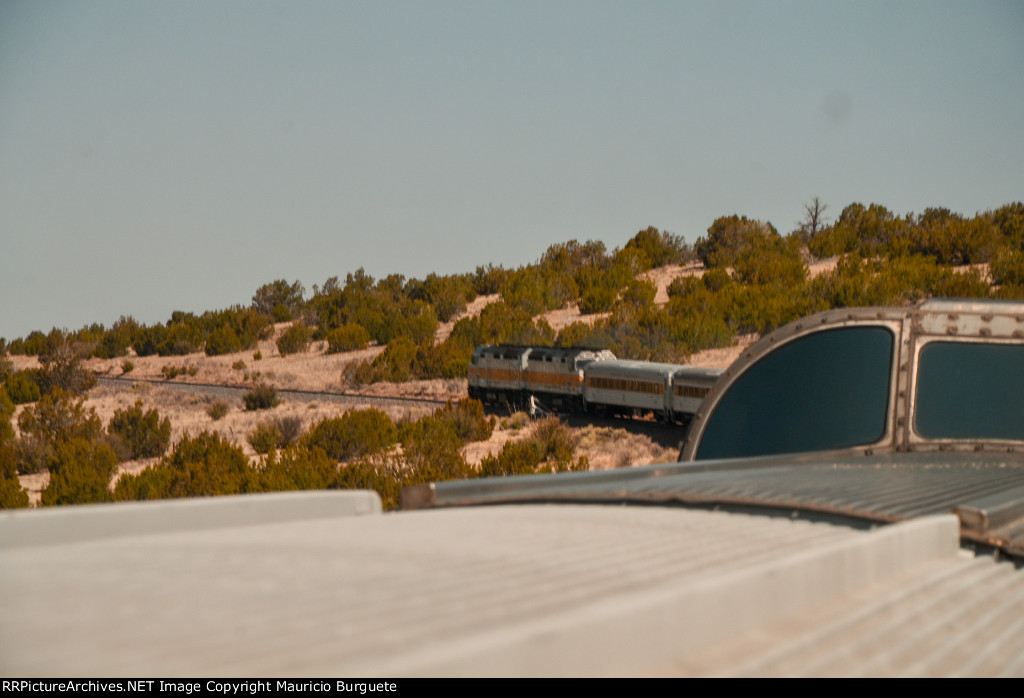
[187, 400]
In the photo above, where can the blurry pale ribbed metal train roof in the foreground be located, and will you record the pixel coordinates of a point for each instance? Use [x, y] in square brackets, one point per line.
[323, 585]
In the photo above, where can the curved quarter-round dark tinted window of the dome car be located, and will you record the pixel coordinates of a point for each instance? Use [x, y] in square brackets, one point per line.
[824, 391]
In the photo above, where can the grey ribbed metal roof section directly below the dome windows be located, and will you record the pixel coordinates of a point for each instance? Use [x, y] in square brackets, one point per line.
[987, 491]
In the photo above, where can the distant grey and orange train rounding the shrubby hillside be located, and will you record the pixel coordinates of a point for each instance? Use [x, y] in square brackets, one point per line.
[579, 380]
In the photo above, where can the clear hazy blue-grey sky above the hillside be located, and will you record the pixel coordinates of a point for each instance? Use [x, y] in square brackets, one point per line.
[162, 156]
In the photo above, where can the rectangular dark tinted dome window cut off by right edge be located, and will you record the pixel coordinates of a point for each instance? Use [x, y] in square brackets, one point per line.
[970, 391]
